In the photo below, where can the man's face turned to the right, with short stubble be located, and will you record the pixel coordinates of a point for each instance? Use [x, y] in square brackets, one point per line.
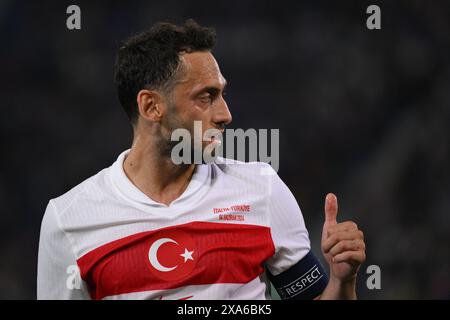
[198, 96]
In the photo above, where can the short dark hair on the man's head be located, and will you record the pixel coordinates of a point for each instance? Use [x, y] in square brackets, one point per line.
[150, 59]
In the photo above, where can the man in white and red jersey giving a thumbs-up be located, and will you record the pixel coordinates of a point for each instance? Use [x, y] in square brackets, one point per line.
[146, 228]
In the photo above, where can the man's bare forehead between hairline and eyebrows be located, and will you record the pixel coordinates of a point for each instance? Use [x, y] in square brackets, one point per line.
[201, 69]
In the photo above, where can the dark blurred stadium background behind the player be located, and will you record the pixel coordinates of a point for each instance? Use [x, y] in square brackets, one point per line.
[362, 113]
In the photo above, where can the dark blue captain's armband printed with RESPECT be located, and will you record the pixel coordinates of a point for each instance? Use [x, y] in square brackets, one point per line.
[304, 281]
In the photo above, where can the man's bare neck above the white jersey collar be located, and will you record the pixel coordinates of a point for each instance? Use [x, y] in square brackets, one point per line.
[154, 173]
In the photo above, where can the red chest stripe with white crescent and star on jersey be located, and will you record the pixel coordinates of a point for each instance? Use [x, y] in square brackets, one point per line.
[195, 253]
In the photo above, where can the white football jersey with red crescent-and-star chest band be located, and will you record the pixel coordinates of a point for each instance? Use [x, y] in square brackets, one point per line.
[105, 239]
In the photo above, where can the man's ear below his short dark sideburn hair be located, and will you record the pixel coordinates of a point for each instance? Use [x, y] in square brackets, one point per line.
[150, 105]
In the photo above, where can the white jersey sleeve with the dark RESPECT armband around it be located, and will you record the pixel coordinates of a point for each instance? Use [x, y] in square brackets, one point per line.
[293, 269]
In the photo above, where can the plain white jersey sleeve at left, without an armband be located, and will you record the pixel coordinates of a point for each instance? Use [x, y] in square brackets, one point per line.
[58, 274]
